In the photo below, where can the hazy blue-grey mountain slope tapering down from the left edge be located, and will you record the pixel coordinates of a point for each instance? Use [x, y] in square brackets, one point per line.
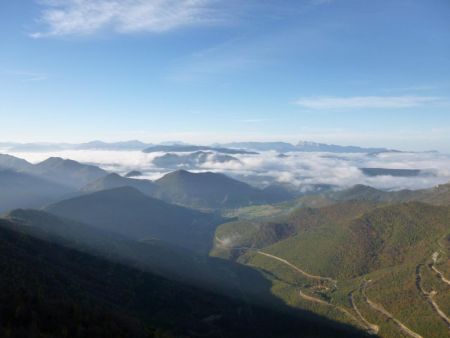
[21, 190]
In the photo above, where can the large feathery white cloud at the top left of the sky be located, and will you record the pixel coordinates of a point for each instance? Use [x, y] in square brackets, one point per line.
[86, 17]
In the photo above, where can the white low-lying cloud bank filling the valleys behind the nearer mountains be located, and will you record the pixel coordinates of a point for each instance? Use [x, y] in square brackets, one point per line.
[300, 169]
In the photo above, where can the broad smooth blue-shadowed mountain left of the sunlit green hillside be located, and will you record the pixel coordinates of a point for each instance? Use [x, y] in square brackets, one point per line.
[131, 213]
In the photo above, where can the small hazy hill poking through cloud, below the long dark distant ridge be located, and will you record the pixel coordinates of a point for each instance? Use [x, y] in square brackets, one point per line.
[191, 161]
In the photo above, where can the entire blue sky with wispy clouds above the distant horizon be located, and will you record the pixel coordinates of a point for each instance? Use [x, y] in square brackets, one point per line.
[338, 71]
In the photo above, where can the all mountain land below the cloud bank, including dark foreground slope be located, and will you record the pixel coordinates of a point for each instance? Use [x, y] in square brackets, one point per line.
[372, 259]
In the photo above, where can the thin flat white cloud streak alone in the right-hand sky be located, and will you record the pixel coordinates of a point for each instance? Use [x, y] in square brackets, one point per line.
[356, 102]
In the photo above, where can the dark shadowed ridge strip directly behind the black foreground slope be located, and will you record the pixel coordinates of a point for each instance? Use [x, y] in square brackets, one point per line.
[150, 255]
